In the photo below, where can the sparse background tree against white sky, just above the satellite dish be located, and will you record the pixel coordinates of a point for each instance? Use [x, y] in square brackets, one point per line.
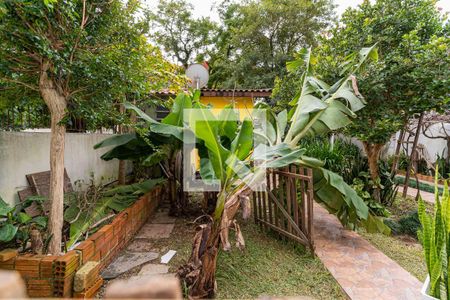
[182, 35]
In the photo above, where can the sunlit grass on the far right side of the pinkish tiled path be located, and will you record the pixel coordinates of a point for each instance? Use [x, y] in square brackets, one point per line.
[405, 250]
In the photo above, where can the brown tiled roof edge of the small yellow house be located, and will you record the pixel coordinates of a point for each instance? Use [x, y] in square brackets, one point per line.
[223, 92]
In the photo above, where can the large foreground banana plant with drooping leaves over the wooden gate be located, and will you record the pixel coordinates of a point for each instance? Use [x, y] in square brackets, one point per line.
[224, 144]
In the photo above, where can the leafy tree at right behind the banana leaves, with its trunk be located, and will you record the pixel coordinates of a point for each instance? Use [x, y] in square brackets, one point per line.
[411, 75]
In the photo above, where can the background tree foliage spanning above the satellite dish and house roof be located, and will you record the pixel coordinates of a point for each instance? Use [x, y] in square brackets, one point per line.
[250, 46]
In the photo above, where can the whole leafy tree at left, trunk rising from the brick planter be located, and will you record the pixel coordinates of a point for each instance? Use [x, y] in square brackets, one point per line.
[78, 56]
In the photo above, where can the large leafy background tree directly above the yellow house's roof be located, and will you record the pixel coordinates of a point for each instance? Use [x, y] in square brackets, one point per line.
[258, 37]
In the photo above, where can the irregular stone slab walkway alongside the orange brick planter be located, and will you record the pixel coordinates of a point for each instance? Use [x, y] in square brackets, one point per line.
[139, 261]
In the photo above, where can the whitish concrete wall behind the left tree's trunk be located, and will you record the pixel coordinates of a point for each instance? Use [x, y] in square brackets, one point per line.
[23, 153]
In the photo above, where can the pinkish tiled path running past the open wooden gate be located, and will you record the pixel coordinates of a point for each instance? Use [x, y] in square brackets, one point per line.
[362, 270]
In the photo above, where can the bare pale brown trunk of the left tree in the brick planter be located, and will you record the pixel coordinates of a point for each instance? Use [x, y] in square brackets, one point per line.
[57, 104]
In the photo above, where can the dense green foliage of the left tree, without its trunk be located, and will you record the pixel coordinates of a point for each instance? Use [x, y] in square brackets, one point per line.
[97, 52]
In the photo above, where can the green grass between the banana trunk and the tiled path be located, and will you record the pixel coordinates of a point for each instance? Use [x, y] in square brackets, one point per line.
[269, 266]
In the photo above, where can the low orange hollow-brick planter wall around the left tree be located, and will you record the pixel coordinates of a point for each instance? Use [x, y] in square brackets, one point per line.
[53, 276]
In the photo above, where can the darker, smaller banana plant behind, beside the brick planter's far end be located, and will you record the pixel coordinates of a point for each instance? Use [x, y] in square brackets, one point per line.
[156, 143]
